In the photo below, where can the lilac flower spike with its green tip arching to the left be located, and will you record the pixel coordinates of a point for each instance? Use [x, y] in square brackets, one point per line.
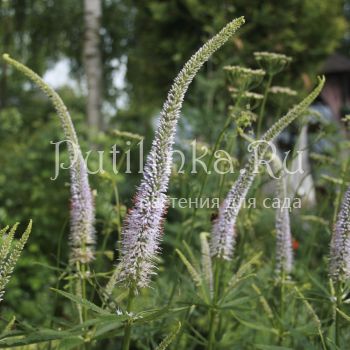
[82, 234]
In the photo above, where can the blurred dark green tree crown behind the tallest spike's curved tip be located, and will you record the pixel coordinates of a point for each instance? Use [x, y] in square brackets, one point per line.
[166, 33]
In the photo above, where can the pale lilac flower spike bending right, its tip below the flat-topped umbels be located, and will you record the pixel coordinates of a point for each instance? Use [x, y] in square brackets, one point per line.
[223, 231]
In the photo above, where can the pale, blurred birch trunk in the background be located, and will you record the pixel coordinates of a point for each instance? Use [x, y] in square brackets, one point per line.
[92, 62]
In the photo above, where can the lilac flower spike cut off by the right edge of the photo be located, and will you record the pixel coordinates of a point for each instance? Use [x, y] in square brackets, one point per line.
[339, 267]
